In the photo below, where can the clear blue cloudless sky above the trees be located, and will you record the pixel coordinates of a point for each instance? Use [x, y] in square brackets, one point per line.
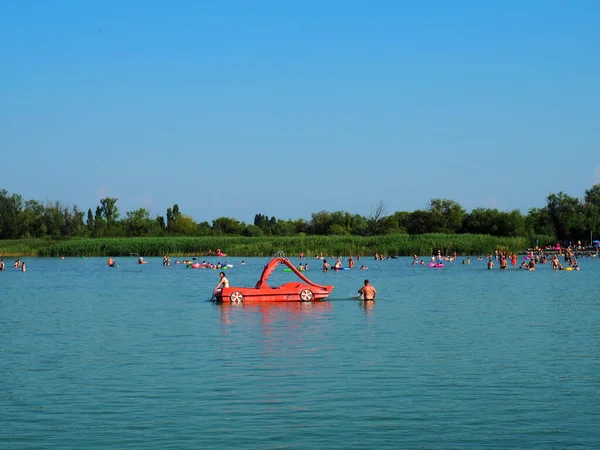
[285, 107]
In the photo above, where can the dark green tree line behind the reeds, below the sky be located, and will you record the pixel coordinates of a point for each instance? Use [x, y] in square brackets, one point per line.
[563, 218]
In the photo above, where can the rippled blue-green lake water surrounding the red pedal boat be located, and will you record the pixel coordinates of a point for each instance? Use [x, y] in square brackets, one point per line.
[460, 357]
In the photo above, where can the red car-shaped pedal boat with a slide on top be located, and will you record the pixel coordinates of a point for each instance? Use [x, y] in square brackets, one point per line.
[305, 291]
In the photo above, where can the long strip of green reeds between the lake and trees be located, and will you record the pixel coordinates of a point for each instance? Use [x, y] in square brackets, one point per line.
[389, 245]
